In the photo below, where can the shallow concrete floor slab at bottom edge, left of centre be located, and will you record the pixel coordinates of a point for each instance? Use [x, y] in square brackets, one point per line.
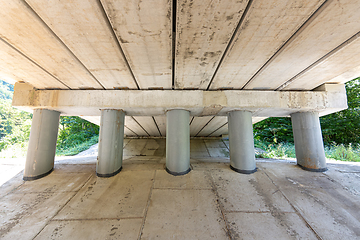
[92, 229]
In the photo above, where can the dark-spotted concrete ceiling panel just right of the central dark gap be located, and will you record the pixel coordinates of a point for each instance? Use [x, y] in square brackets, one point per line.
[204, 29]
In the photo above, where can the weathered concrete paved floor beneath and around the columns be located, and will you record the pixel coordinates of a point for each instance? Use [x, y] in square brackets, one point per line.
[279, 201]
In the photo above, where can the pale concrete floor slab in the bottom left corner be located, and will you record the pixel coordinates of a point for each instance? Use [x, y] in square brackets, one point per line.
[26, 214]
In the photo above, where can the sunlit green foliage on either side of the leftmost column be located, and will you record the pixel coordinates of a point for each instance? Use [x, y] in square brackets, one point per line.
[75, 134]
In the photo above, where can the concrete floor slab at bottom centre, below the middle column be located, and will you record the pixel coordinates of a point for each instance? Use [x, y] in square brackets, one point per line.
[169, 208]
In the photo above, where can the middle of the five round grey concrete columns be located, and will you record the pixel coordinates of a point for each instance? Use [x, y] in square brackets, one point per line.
[177, 142]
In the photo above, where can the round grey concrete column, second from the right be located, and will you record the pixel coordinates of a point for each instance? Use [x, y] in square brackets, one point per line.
[241, 141]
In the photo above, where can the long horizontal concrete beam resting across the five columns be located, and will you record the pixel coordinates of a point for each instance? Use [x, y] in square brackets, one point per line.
[326, 99]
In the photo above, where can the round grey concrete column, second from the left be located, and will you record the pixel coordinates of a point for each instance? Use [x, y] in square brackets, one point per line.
[111, 142]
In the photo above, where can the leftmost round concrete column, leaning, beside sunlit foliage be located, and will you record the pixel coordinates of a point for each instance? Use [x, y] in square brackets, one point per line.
[42, 144]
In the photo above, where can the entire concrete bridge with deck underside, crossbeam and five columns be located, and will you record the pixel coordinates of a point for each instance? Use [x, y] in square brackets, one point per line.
[214, 67]
